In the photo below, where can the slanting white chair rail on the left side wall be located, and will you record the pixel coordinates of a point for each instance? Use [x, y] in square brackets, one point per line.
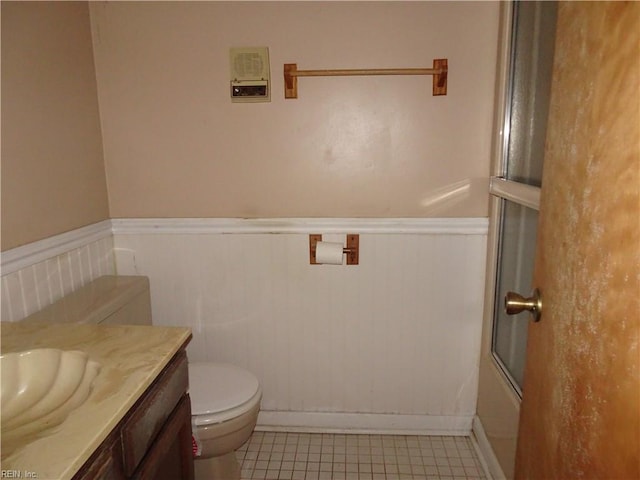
[41, 250]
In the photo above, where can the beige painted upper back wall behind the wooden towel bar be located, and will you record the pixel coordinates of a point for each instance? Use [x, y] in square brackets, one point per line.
[175, 146]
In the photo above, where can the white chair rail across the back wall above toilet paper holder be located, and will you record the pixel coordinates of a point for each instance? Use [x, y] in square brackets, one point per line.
[459, 226]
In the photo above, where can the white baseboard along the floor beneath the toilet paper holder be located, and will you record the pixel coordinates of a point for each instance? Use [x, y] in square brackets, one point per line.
[319, 422]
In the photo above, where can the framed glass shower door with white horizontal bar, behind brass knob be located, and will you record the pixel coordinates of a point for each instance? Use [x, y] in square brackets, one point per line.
[518, 188]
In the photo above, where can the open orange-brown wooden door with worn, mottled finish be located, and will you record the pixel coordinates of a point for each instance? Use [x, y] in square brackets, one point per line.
[580, 414]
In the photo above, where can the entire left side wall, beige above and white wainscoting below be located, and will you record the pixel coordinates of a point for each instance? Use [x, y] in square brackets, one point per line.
[56, 235]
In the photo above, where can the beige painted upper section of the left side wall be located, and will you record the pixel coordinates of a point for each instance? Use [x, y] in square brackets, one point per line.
[53, 177]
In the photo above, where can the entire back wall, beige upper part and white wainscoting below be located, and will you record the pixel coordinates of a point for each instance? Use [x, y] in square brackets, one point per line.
[392, 344]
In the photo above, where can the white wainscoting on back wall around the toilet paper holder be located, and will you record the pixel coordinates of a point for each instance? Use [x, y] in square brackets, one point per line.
[390, 344]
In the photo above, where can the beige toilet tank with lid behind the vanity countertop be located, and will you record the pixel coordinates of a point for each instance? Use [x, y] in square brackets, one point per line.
[109, 300]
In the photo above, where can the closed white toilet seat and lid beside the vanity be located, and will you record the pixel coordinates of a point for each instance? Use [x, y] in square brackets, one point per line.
[220, 392]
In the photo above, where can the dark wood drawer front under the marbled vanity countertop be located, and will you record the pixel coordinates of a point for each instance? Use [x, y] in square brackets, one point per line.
[149, 416]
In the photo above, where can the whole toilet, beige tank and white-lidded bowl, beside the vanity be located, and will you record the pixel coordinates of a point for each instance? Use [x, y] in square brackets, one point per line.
[225, 399]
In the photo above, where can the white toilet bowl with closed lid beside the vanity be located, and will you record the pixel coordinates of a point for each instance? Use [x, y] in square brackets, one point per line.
[225, 401]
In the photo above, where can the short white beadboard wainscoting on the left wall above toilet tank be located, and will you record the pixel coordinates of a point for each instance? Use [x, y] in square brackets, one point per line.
[38, 274]
